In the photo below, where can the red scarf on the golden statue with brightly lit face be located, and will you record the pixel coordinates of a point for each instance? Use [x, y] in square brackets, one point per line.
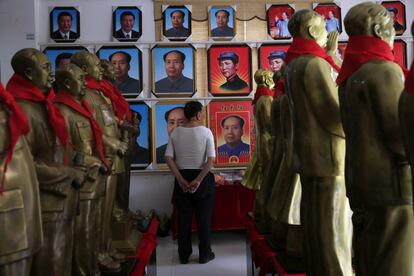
[301, 47]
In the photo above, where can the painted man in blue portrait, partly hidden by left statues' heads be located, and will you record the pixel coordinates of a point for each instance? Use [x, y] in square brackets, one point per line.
[121, 61]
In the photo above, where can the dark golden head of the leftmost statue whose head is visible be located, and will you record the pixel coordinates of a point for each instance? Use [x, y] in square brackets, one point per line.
[34, 66]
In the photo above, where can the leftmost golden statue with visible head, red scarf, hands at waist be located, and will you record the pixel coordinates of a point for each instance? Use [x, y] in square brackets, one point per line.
[31, 86]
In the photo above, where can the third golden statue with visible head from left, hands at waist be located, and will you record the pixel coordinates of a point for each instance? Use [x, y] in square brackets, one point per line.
[114, 149]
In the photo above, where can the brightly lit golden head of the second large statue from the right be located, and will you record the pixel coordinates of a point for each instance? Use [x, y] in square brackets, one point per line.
[309, 25]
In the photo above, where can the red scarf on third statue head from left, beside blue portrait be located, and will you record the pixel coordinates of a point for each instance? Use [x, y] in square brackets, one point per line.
[119, 103]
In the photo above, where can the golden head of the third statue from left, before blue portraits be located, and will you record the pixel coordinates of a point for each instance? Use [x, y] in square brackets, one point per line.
[89, 63]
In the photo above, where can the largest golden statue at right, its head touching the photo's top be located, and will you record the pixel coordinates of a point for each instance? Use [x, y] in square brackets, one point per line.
[379, 182]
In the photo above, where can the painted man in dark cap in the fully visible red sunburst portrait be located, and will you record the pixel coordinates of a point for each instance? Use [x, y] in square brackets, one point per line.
[229, 64]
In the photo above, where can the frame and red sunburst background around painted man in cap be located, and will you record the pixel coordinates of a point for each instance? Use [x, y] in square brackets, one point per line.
[217, 82]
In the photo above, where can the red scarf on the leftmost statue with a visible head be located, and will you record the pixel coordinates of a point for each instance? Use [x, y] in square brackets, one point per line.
[25, 90]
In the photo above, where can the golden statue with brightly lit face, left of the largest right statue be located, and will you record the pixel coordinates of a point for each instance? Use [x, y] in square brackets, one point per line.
[319, 147]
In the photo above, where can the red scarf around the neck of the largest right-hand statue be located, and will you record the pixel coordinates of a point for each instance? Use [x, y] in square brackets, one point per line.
[362, 49]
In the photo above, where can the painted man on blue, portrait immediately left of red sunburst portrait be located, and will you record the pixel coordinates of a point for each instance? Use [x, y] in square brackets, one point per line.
[175, 80]
